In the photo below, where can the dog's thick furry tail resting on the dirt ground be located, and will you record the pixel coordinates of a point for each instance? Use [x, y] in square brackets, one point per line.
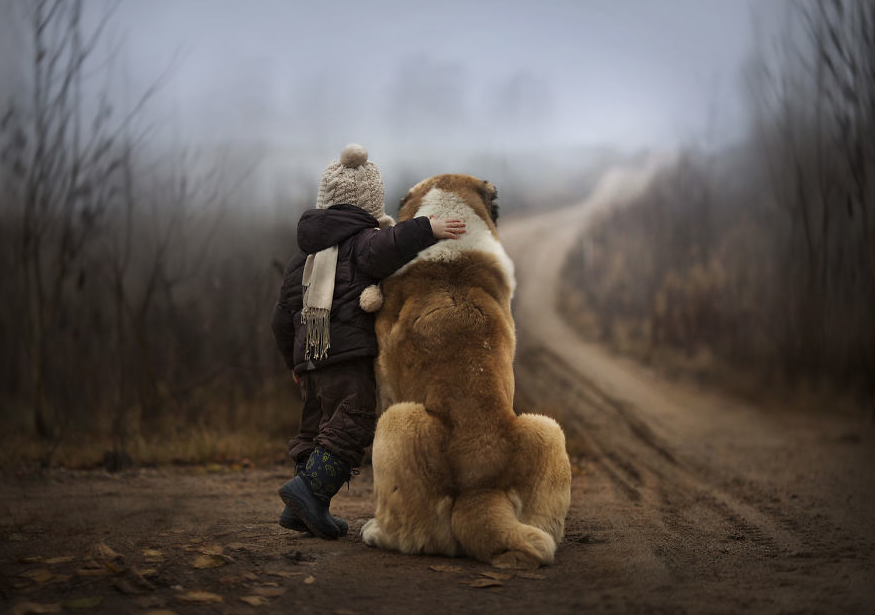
[485, 523]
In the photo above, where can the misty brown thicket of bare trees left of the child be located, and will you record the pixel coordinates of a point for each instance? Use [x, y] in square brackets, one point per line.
[137, 289]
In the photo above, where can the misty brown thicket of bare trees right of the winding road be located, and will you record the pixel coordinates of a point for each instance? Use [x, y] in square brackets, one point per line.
[763, 255]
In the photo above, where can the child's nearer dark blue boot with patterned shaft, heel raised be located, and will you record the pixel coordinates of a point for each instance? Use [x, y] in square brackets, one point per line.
[309, 495]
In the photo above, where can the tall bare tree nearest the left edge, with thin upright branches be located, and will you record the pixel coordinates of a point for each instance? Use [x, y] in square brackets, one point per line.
[65, 183]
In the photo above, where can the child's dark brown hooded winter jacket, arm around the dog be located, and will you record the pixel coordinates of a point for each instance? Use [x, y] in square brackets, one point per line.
[365, 256]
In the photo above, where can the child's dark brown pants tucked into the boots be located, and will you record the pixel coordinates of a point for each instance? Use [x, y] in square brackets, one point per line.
[340, 410]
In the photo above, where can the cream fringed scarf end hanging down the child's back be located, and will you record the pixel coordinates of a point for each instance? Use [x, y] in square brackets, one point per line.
[318, 284]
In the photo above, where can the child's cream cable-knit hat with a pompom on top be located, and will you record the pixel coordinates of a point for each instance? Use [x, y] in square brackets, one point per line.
[354, 181]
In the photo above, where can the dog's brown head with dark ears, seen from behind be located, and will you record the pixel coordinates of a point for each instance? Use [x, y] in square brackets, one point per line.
[479, 195]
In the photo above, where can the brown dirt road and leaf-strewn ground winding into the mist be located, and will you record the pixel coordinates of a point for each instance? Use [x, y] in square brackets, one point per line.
[682, 501]
